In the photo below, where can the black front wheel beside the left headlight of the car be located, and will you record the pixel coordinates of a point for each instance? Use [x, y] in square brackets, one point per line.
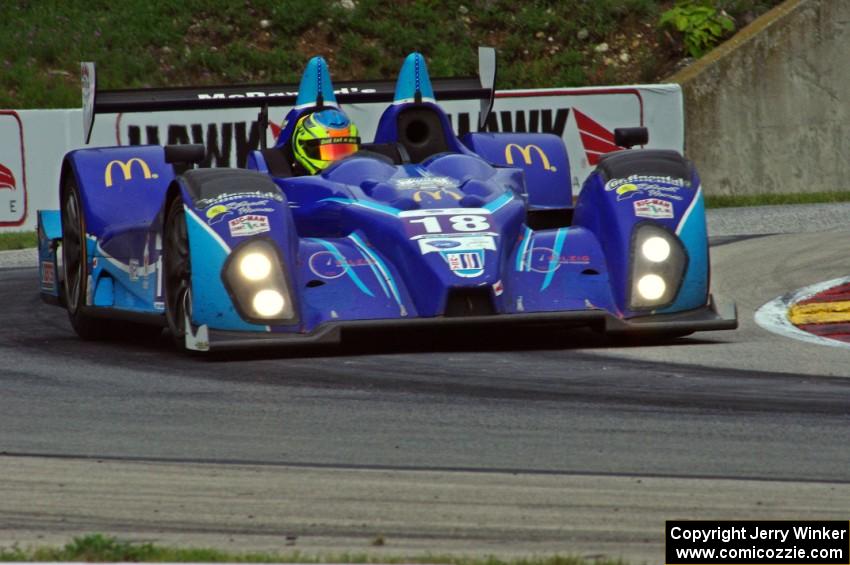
[177, 268]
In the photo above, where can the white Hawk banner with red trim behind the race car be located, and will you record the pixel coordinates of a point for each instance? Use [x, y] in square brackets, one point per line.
[32, 142]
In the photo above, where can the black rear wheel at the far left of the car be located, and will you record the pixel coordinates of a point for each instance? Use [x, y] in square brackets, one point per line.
[75, 265]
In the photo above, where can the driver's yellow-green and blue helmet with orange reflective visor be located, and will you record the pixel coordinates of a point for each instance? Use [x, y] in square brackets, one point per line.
[320, 138]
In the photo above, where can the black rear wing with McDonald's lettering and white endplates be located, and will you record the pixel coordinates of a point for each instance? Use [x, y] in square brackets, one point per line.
[263, 95]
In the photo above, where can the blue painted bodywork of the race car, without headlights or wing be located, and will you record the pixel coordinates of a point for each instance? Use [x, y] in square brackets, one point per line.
[369, 239]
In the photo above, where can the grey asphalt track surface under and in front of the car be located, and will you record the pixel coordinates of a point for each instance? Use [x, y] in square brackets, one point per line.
[726, 424]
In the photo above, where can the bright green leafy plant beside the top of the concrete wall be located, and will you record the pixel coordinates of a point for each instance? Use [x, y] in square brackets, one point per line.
[699, 22]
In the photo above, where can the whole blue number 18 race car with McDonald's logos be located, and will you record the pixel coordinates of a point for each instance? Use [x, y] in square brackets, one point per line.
[418, 228]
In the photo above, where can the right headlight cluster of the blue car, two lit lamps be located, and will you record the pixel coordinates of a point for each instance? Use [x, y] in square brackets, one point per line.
[658, 265]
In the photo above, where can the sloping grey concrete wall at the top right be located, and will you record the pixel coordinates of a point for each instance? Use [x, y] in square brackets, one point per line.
[769, 111]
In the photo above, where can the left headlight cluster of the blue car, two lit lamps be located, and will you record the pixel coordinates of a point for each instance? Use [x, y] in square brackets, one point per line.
[258, 285]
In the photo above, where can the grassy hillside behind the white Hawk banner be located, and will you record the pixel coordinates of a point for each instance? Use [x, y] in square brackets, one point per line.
[138, 43]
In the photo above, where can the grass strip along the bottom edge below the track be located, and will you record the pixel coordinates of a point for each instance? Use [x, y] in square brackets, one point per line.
[97, 548]
